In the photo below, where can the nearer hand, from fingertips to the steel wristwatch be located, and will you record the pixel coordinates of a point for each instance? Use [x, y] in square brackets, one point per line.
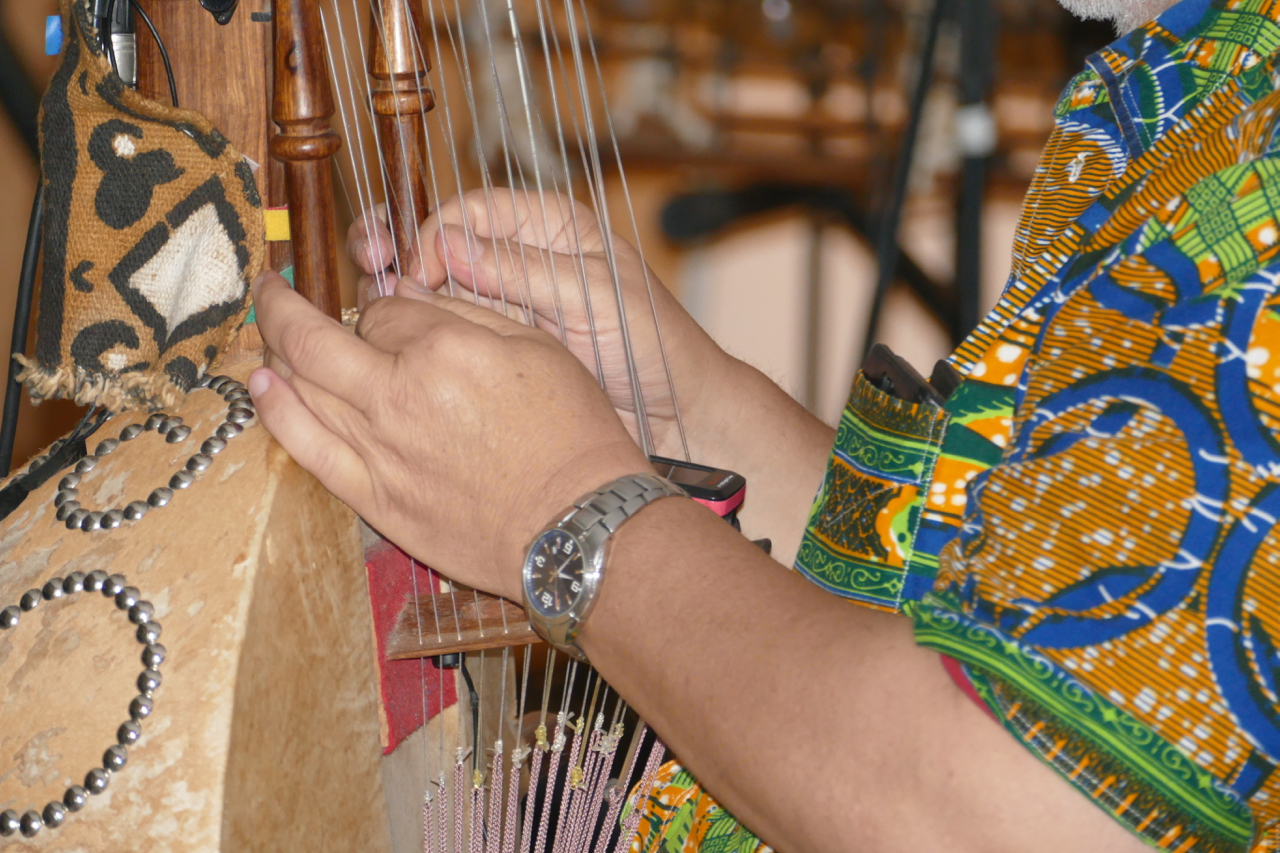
[454, 431]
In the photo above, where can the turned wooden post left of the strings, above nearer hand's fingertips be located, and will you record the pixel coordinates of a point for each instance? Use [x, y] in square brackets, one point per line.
[305, 143]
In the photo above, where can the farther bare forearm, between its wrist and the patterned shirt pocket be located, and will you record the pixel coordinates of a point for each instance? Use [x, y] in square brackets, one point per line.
[746, 423]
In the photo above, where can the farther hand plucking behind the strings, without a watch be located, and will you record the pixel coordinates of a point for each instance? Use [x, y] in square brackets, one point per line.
[529, 254]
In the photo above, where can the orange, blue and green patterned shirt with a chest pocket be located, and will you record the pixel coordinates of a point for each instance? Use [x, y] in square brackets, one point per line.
[1091, 524]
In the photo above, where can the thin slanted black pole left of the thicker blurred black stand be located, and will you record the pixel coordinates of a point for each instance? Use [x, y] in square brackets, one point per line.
[886, 243]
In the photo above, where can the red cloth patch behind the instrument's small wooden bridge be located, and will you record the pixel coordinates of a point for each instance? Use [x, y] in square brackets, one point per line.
[404, 687]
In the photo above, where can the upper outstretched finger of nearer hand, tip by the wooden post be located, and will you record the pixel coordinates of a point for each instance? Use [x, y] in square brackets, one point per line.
[313, 345]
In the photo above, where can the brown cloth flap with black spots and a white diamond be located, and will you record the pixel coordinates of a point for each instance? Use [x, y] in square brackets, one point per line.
[153, 232]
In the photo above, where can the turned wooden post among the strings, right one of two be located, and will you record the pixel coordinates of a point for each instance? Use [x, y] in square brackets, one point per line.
[401, 98]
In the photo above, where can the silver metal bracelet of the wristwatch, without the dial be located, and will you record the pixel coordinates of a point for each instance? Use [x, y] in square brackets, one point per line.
[592, 522]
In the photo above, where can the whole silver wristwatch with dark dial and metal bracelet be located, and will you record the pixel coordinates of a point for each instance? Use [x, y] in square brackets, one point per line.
[565, 563]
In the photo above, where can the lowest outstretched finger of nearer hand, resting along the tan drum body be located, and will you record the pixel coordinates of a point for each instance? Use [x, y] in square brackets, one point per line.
[312, 445]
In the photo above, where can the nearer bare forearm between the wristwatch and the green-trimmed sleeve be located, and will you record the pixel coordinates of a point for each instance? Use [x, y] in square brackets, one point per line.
[817, 723]
